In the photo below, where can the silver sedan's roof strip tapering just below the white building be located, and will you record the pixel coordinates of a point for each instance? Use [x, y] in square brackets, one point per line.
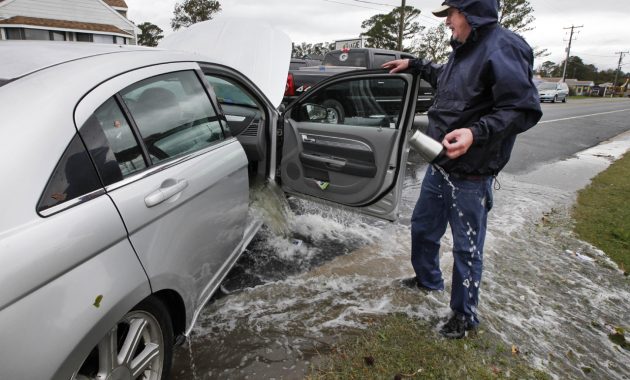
[31, 56]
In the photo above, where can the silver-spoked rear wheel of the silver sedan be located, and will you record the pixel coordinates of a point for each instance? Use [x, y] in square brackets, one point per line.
[139, 346]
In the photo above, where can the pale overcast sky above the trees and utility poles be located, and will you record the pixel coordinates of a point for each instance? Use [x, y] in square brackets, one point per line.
[604, 23]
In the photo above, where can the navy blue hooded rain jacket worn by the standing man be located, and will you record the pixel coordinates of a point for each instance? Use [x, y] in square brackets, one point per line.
[486, 86]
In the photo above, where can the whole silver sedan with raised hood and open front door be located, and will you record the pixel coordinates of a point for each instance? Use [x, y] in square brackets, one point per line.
[127, 172]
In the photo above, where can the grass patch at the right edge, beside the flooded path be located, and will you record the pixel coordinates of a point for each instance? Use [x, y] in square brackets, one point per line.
[602, 212]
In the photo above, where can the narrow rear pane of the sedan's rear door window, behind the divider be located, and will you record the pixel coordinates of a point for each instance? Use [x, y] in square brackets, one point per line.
[108, 136]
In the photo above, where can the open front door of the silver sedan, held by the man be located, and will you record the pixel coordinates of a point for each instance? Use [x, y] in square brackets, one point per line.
[345, 141]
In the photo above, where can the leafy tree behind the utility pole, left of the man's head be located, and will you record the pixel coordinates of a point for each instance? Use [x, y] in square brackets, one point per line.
[382, 29]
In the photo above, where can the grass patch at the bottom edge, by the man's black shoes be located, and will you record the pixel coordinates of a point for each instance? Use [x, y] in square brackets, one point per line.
[398, 347]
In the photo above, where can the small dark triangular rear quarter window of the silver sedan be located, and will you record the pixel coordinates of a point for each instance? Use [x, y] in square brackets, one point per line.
[73, 177]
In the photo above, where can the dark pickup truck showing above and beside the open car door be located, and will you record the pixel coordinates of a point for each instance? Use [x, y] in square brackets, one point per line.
[302, 78]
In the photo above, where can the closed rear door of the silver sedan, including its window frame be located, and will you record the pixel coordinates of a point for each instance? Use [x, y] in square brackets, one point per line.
[181, 183]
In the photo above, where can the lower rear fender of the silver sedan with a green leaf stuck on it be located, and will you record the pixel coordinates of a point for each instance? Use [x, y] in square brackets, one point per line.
[79, 307]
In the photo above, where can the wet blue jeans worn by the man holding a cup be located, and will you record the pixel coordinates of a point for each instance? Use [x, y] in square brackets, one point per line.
[464, 204]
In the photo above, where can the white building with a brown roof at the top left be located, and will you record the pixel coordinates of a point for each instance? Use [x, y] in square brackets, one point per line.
[102, 21]
